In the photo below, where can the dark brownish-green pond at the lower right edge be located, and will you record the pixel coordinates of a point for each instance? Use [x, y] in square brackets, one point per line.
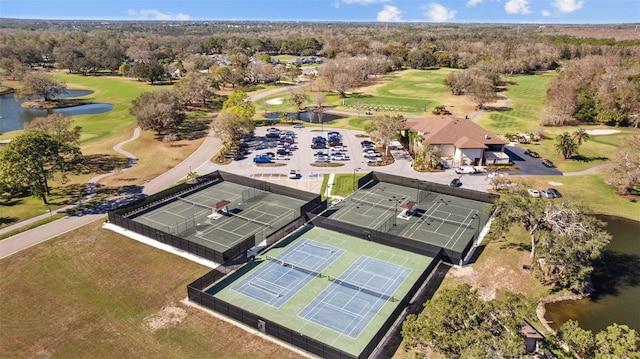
[617, 281]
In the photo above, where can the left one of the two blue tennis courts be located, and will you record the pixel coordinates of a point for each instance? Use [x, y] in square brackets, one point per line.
[283, 276]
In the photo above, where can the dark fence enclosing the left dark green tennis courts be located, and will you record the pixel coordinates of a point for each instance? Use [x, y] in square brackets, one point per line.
[123, 217]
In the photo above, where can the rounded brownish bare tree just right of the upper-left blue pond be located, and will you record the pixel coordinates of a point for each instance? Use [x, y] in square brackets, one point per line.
[159, 110]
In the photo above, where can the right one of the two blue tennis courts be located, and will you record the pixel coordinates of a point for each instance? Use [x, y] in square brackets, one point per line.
[354, 298]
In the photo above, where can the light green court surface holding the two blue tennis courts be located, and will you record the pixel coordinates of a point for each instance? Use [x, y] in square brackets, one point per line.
[360, 280]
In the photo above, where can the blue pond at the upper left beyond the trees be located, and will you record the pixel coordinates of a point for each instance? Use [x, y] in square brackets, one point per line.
[13, 116]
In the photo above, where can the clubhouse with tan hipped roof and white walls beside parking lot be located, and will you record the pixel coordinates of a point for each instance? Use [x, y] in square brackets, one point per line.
[461, 141]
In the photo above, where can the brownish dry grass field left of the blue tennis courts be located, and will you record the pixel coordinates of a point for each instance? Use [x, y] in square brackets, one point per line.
[92, 292]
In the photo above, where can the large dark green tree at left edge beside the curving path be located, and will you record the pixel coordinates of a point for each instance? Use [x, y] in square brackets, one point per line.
[33, 159]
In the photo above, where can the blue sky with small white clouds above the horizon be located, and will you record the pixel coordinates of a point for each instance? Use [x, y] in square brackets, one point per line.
[438, 11]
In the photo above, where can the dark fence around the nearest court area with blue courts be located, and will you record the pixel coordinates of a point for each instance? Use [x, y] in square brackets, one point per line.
[197, 292]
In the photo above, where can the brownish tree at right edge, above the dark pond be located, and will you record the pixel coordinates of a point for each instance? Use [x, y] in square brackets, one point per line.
[625, 172]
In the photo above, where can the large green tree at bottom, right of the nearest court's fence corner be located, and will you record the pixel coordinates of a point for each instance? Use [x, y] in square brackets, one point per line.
[457, 324]
